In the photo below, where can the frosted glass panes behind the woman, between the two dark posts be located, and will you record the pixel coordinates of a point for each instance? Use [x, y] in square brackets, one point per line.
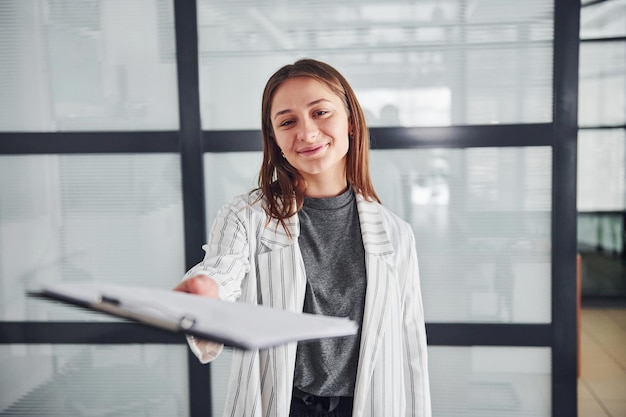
[482, 216]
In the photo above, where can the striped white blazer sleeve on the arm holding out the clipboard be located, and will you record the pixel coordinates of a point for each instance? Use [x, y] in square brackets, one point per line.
[226, 260]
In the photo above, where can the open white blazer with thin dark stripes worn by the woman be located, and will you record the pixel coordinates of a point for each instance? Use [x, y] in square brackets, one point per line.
[258, 262]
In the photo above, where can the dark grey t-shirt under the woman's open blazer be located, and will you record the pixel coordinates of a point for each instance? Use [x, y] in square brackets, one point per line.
[334, 260]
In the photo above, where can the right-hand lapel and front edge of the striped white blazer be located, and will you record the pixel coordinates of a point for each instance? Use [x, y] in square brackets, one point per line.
[378, 259]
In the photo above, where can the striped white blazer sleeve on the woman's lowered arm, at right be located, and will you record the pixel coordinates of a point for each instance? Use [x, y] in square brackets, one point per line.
[416, 357]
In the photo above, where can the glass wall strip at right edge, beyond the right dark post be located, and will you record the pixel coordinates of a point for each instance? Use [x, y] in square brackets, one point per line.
[602, 149]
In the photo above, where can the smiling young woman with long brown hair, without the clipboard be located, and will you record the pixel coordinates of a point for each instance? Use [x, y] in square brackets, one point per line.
[314, 237]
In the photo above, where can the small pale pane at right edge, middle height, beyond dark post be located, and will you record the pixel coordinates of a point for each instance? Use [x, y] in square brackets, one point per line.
[601, 170]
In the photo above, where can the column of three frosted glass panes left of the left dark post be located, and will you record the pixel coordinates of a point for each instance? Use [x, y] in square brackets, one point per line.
[88, 66]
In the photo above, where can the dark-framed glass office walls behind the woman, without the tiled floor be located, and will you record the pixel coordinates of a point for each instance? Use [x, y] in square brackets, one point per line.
[498, 131]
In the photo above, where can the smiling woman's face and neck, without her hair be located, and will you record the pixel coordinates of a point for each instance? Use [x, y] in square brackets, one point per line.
[311, 127]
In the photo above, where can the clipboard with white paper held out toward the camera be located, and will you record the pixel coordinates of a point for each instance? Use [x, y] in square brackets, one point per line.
[235, 324]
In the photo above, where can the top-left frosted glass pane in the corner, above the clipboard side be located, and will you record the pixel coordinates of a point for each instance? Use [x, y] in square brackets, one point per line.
[91, 65]
